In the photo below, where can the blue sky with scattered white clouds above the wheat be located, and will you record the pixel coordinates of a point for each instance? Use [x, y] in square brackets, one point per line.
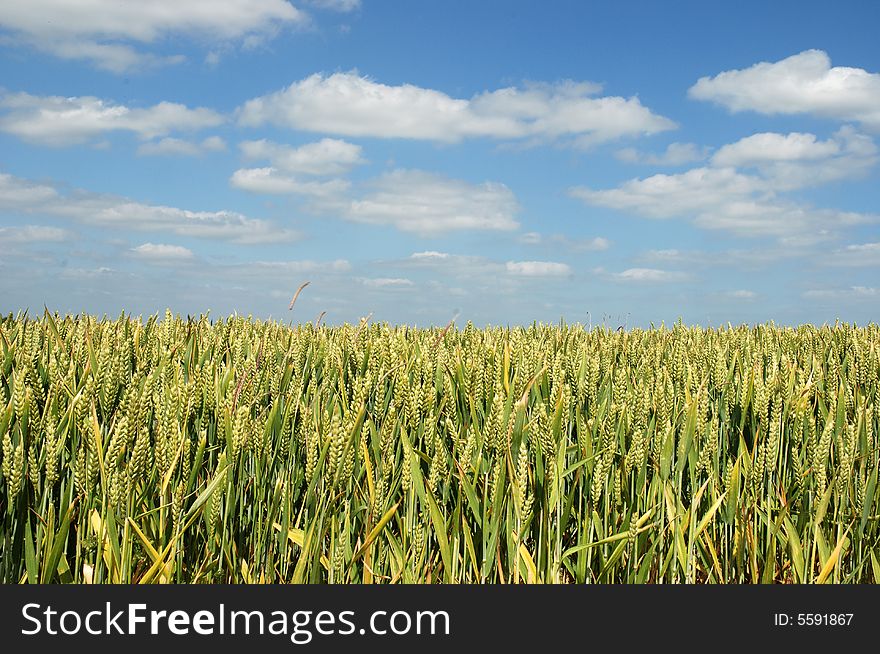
[500, 161]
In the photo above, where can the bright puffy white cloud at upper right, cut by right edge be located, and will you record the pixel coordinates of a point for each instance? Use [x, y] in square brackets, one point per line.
[803, 83]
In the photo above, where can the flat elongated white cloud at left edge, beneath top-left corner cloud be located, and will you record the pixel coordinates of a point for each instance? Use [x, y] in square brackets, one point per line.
[58, 121]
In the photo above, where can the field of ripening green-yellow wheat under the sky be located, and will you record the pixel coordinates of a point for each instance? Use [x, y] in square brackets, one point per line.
[237, 450]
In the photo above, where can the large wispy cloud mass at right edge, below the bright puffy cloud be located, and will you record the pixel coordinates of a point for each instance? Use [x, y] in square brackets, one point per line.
[742, 189]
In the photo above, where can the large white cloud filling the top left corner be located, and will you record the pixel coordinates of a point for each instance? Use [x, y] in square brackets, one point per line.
[100, 31]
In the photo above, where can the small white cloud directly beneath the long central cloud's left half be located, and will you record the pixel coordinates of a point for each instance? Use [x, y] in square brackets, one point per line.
[325, 157]
